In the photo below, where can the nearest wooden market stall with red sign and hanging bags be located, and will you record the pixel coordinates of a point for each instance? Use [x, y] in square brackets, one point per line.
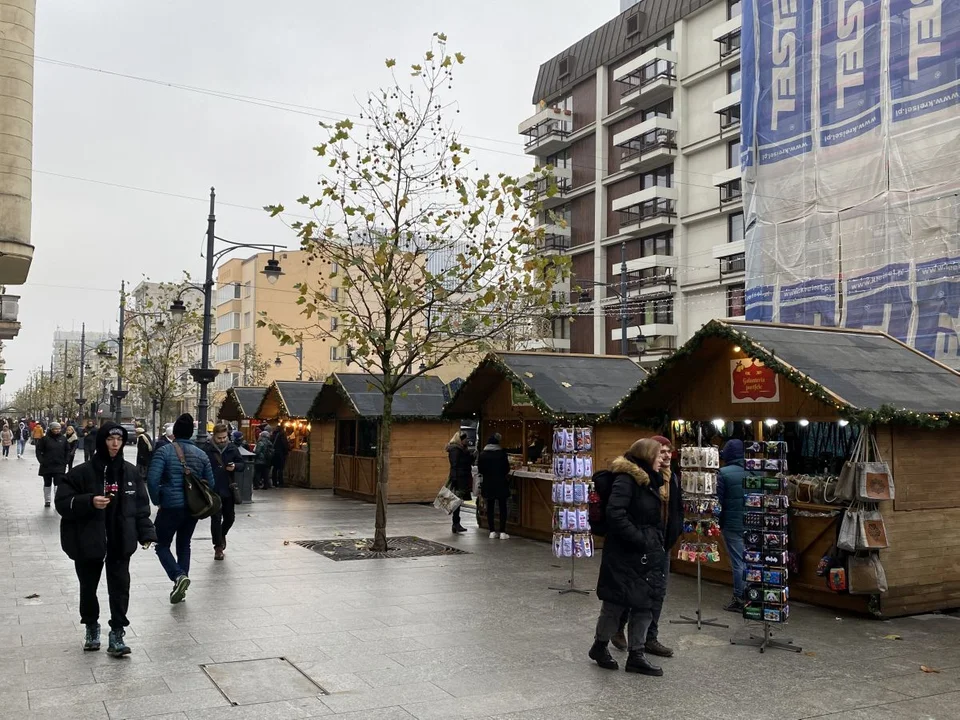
[800, 384]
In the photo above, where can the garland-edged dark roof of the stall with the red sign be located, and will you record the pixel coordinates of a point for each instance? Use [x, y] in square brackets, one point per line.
[867, 375]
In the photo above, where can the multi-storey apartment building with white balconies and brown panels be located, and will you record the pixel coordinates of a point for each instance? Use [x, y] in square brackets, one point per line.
[641, 121]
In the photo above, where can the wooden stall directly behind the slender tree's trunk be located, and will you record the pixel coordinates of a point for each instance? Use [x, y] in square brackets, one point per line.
[345, 418]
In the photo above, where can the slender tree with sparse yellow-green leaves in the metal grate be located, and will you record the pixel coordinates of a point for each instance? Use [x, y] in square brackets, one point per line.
[421, 258]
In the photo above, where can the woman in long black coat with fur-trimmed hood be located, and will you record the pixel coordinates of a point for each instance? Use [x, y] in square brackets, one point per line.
[631, 568]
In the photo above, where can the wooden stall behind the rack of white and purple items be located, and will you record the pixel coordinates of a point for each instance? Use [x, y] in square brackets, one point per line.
[524, 396]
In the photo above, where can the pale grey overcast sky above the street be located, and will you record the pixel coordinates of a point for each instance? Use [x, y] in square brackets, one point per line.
[313, 53]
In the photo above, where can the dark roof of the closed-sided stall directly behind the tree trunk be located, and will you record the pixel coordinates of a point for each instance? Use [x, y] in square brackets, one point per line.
[422, 397]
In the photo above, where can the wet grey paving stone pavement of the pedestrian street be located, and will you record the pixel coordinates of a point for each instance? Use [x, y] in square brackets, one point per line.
[468, 636]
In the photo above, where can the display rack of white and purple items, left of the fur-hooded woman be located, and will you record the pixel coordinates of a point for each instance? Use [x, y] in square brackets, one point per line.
[572, 473]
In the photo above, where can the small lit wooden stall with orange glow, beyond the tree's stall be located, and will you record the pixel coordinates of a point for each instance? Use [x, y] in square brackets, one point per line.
[287, 403]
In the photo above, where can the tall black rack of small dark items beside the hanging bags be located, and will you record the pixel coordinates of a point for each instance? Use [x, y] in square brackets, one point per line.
[766, 543]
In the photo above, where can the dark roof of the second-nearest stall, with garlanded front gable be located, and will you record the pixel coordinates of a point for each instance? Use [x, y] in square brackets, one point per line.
[558, 384]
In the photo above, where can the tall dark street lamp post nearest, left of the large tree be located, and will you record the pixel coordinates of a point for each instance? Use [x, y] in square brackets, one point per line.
[204, 375]
